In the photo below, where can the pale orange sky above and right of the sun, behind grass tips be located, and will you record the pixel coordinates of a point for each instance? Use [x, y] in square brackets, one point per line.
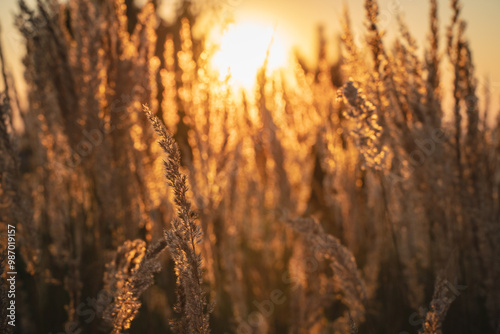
[299, 18]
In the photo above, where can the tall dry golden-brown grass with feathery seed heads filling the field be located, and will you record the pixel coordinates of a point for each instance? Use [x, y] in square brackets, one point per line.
[344, 202]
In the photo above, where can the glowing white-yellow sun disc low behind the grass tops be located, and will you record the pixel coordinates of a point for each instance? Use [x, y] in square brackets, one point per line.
[243, 49]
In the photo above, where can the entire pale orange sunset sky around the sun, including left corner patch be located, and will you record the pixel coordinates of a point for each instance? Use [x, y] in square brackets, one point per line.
[295, 23]
